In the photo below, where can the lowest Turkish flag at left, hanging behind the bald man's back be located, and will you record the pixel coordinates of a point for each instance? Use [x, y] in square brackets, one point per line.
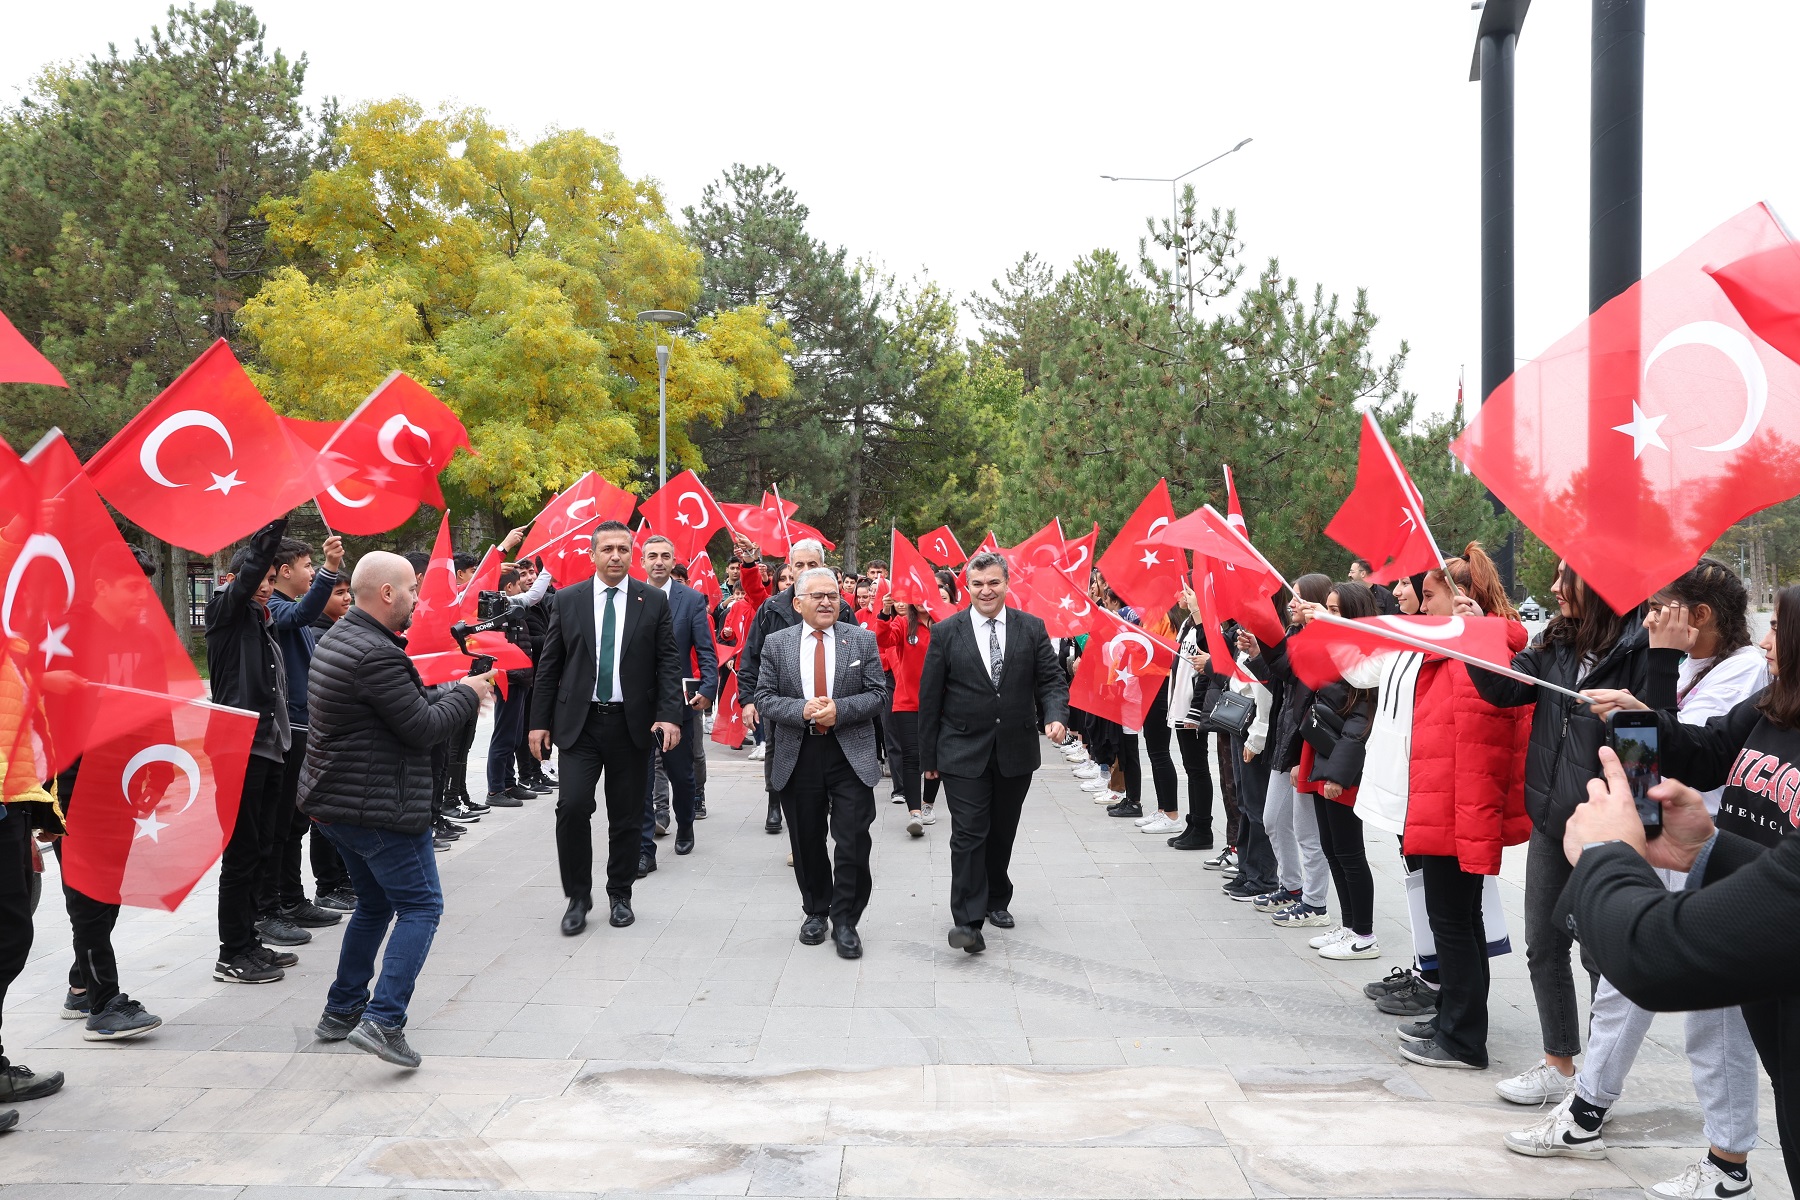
[157, 800]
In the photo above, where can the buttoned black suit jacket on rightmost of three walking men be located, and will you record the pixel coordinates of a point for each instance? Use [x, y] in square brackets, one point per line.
[964, 721]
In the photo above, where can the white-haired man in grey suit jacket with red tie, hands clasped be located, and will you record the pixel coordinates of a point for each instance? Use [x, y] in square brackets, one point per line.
[820, 690]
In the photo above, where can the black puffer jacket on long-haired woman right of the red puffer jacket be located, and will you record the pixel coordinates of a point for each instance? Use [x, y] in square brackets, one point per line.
[1567, 739]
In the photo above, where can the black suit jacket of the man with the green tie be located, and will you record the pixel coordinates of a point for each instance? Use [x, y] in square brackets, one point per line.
[649, 667]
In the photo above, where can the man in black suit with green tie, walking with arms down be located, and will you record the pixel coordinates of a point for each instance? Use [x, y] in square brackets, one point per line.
[606, 694]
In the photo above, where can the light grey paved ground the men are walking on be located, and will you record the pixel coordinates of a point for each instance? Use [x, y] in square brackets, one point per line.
[1137, 1035]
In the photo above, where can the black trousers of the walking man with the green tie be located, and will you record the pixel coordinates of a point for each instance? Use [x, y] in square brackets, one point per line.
[606, 749]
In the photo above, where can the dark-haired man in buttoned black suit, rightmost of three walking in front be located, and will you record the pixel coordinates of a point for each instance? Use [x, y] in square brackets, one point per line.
[989, 677]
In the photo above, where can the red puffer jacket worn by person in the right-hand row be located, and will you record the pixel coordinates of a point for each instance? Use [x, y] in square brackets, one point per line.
[1466, 784]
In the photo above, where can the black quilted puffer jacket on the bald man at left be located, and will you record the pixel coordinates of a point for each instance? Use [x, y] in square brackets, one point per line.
[375, 724]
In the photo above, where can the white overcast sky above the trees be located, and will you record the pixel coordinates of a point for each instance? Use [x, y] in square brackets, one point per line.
[953, 138]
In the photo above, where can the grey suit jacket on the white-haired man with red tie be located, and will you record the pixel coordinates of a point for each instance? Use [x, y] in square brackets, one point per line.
[859, 686]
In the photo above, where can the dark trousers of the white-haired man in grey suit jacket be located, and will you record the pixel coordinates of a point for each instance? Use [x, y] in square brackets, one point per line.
[825, 794]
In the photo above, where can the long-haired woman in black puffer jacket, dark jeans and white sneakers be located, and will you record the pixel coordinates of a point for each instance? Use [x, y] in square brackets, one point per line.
[1587, 645]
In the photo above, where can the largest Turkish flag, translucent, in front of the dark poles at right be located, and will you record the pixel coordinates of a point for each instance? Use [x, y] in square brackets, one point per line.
[1651, 429]
